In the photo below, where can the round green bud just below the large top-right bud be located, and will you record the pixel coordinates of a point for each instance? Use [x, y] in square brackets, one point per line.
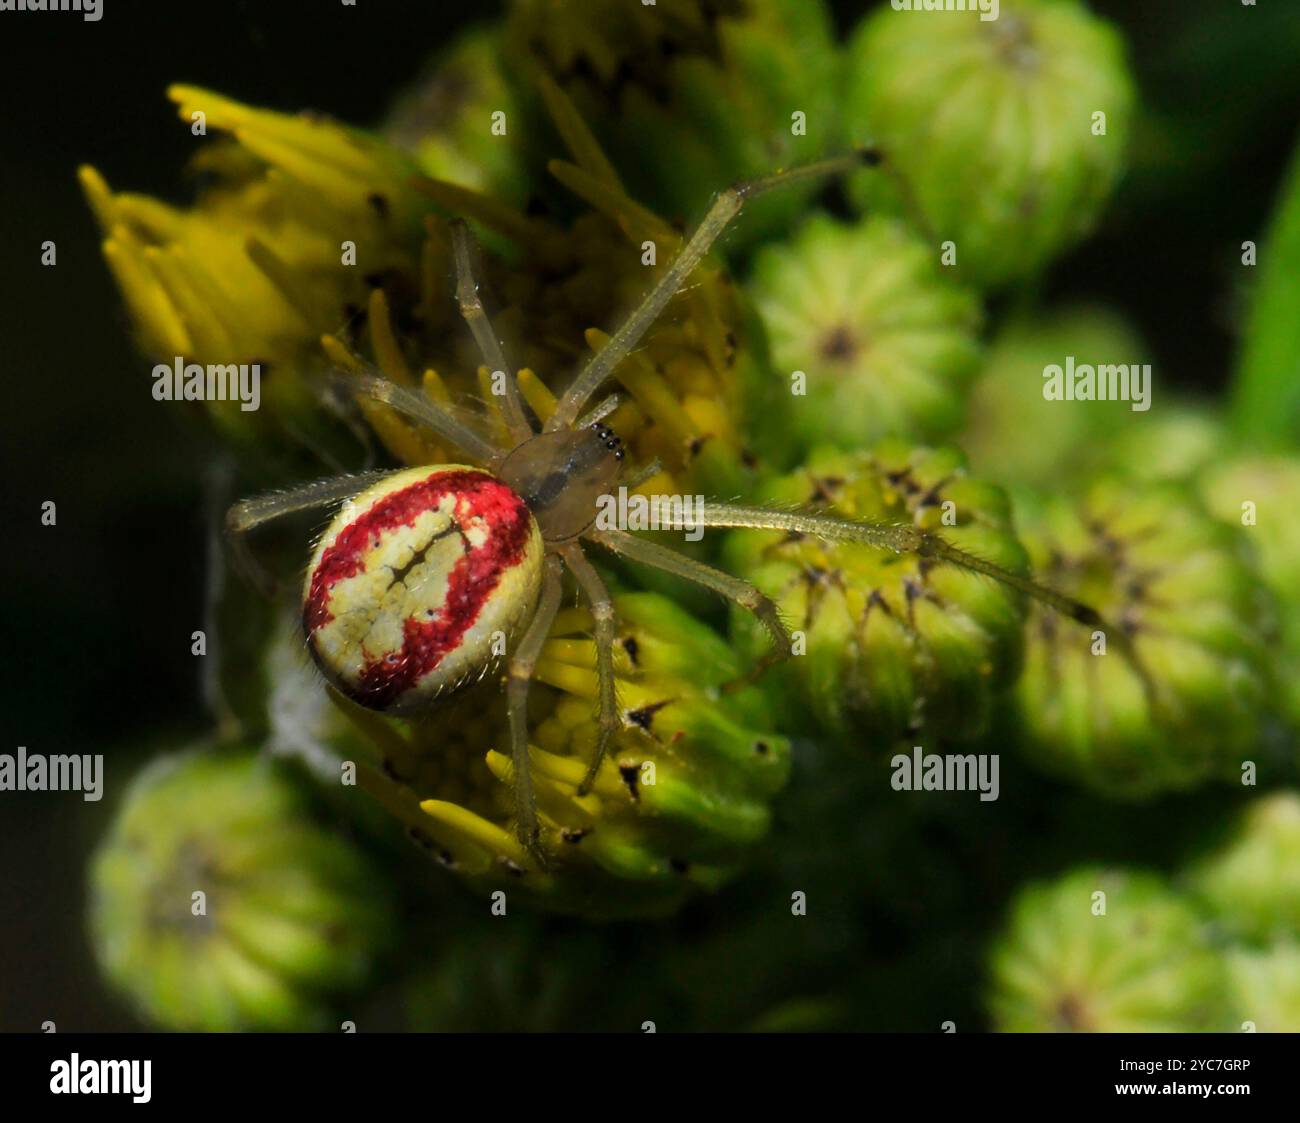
[868, 339]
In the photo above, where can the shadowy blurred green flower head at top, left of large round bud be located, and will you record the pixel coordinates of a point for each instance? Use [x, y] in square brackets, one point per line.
[694, 97]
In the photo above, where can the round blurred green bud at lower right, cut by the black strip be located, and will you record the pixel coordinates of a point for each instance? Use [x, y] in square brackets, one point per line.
[1104, 952]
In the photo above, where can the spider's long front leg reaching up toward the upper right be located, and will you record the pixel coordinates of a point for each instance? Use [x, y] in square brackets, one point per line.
[725, 209]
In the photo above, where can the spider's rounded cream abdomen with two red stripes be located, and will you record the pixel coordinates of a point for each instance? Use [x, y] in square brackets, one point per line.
[417, 580]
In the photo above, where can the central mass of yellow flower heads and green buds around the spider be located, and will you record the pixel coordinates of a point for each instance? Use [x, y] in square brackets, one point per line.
[314, 246]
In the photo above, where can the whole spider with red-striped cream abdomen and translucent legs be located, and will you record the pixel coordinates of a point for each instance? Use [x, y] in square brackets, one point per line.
[423, 570]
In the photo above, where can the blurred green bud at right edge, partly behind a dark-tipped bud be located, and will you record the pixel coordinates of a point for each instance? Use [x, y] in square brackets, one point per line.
[1259, 498]
